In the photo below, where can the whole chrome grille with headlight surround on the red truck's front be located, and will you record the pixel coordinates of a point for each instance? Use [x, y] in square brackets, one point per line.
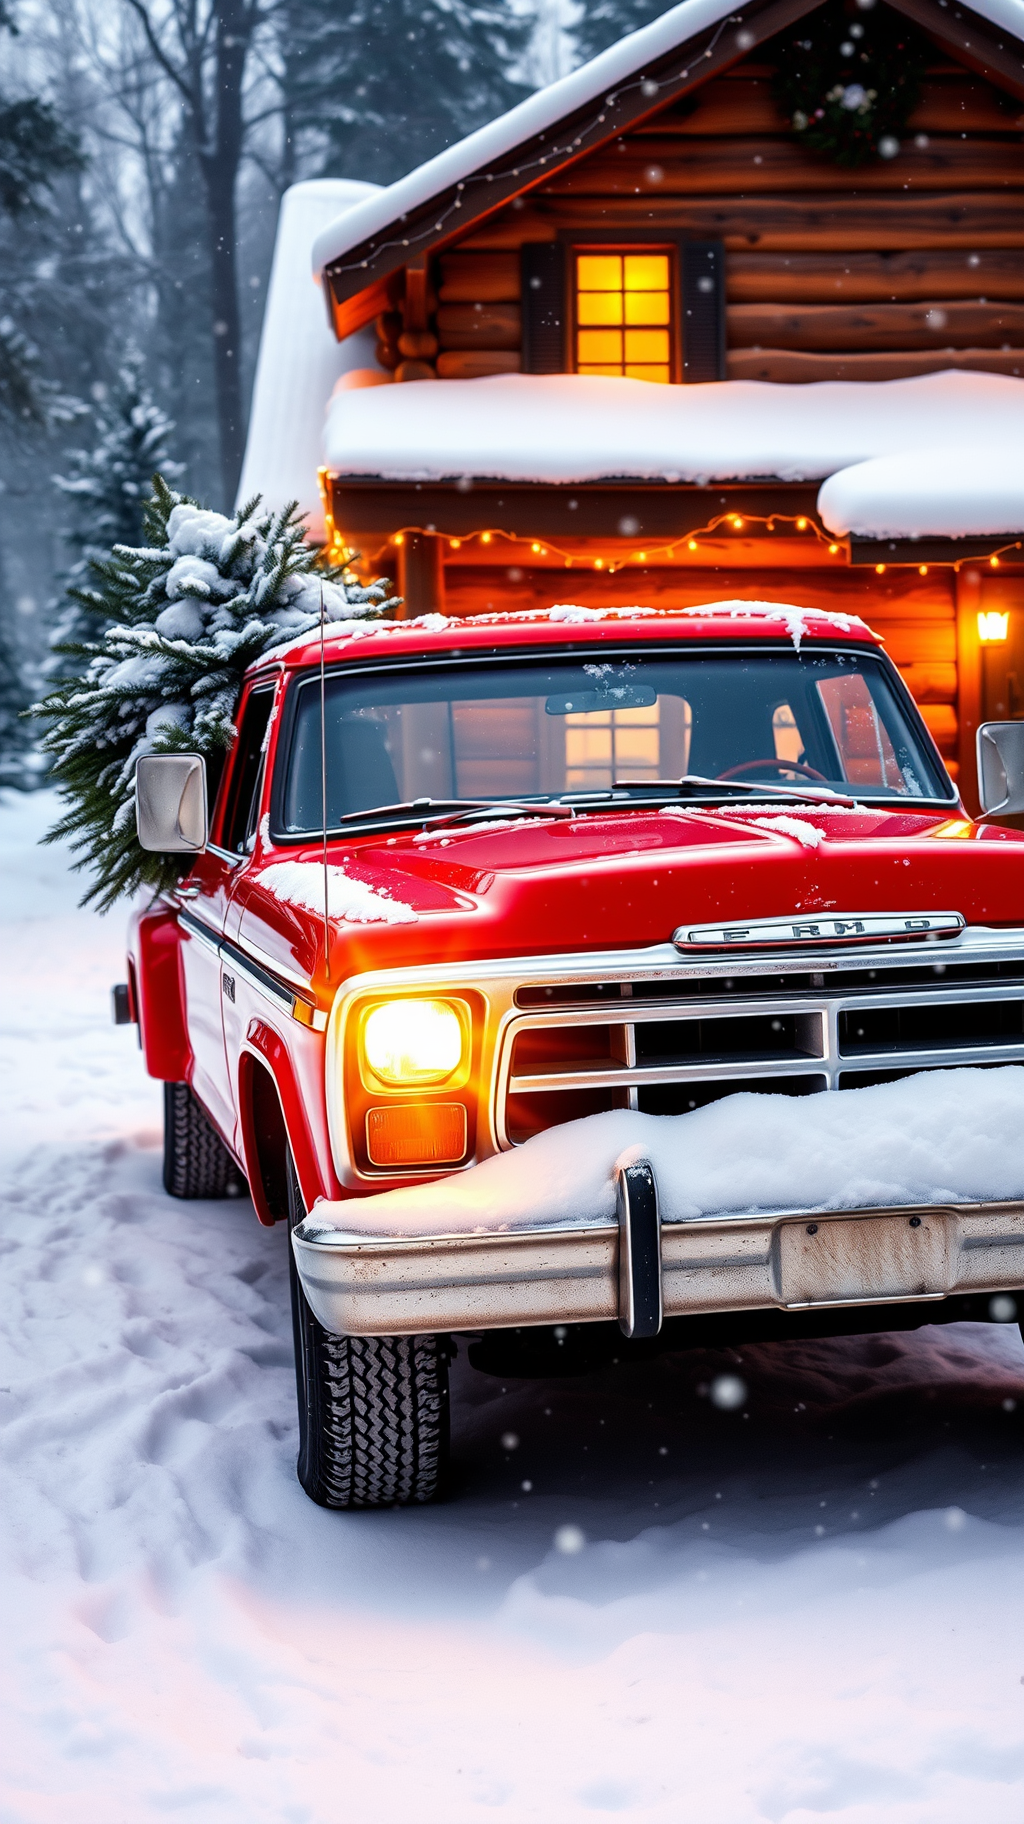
[651, 1030]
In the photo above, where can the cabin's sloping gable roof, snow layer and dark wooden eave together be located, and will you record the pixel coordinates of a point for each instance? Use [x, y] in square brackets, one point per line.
[596, 103]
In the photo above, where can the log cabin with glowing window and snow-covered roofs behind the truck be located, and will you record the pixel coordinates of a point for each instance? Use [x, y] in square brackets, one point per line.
[640, 342]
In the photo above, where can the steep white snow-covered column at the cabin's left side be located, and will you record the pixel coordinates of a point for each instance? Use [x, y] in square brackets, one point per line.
[300, 360]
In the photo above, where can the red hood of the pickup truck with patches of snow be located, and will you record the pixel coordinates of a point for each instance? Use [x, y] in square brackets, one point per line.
[616, 880]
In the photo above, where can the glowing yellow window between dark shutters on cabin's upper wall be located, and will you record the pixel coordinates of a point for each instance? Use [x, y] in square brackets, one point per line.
[625, 315]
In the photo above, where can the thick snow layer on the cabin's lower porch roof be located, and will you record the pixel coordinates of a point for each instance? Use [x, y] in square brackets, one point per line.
[578, 428]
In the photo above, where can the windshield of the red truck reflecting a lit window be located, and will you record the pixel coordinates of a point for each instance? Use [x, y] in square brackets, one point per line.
[570, 727]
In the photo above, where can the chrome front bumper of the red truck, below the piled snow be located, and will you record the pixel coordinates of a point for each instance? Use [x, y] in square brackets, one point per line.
[640, 1270]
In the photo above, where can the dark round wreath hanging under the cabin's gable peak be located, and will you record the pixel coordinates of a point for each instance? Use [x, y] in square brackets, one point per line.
[850, 81]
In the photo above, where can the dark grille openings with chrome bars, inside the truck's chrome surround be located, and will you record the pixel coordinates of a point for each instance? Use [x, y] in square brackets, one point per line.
[693, 1042]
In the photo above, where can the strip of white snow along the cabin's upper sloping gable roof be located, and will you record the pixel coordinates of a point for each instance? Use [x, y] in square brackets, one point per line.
[552, 105]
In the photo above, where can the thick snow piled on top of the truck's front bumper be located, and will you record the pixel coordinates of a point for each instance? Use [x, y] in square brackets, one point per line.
[934, 1139]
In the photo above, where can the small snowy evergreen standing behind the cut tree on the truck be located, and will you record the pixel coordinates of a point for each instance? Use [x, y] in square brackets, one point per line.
[109, 488]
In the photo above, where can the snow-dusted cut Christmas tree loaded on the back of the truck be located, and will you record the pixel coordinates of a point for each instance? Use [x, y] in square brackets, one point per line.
[178, 623]
